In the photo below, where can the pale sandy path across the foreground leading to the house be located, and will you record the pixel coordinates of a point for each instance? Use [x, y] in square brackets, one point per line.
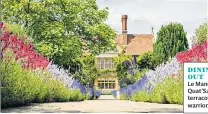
[100, 105]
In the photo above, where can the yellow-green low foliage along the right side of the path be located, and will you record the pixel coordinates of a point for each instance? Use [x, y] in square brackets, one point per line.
[170, 90]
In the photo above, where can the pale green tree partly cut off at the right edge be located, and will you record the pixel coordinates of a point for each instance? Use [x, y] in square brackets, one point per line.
[201, 33]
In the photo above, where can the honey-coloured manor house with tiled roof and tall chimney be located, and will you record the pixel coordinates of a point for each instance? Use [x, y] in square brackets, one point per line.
[130, 44]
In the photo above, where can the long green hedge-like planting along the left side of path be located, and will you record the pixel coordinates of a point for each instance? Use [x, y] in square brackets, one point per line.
[21, 86]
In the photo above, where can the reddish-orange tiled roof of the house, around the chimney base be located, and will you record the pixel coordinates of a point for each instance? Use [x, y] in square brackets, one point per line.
[137, 43]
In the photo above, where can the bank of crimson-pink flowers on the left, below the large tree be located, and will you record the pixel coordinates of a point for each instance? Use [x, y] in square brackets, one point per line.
[24, 52]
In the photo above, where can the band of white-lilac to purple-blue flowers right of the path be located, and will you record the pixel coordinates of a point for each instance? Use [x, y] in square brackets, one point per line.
[151, 78]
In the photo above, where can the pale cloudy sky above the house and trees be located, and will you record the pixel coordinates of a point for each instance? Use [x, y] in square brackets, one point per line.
[145, 14]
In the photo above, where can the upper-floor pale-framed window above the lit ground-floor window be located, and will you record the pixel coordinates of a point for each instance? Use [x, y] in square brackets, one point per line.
[105, 63]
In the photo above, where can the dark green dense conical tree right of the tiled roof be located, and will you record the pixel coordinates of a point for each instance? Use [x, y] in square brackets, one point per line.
[170, 40]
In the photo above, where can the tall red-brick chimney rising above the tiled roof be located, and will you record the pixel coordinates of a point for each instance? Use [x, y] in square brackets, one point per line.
[124, 29]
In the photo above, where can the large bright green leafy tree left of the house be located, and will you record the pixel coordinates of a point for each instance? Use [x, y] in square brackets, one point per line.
[62, 29]
